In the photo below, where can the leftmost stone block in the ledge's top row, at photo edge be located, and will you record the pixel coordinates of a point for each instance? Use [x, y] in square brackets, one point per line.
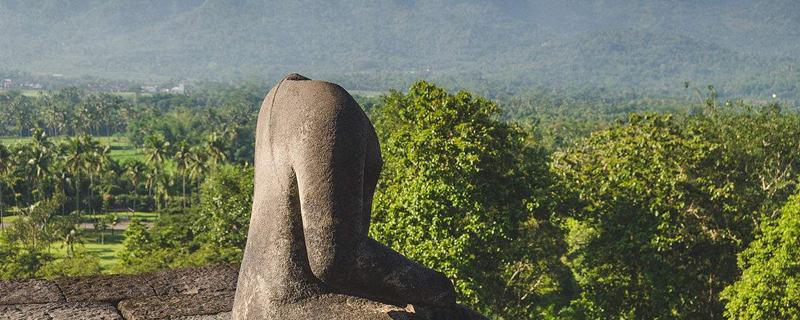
[29, 291]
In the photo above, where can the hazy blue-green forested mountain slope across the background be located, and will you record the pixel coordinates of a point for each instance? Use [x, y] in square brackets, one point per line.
[746, 47]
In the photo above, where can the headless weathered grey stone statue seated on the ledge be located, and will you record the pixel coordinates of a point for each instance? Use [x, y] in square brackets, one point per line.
[308, 254]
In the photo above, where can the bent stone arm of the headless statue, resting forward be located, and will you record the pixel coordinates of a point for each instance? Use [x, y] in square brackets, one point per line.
[328, 157]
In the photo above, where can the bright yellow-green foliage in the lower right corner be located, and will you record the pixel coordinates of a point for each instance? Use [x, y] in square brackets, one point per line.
[769, 287]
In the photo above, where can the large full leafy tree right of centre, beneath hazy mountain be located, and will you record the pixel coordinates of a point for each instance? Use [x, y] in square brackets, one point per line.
[654, 233]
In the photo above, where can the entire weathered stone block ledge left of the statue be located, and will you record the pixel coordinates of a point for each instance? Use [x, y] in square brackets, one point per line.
[204, 293]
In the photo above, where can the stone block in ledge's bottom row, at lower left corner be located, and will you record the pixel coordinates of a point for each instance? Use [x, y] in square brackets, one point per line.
[61, 311]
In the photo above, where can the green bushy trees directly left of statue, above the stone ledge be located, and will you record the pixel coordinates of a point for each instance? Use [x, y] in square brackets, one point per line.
[215, 231]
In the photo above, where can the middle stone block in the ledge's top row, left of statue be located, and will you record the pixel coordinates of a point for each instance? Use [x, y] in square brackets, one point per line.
[104, 288]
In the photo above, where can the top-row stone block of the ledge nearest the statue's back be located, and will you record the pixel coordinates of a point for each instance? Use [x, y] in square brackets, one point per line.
[194, 280]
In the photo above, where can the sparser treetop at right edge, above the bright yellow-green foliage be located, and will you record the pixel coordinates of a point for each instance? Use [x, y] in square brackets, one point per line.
[757, 156]
